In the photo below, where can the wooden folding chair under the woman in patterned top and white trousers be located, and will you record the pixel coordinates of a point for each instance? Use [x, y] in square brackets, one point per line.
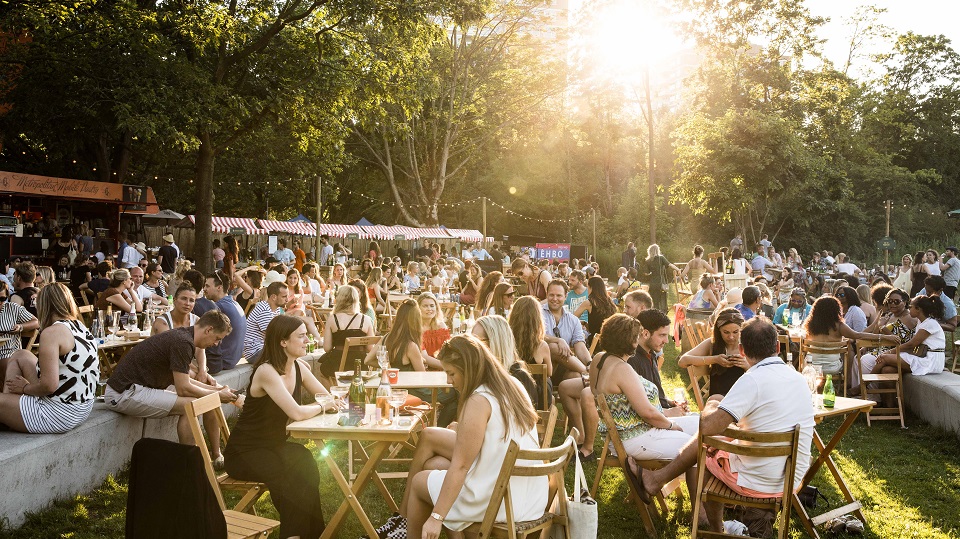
[620, 461]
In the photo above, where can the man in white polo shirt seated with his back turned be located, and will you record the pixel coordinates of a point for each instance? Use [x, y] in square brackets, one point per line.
[770, 397]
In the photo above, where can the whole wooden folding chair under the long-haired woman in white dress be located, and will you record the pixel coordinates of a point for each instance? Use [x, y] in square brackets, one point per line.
[552, 463]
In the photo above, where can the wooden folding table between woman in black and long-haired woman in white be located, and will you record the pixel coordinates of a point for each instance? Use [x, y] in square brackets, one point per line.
[324, 427]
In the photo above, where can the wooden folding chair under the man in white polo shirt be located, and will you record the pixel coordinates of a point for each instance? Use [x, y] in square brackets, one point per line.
[762, 444]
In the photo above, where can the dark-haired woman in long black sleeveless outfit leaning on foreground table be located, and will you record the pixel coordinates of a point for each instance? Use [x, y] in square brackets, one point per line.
[258, 448]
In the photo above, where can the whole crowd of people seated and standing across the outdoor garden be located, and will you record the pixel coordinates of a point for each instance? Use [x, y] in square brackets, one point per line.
[594, 338]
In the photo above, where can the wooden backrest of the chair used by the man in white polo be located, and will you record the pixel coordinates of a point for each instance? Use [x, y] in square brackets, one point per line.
[759, 444]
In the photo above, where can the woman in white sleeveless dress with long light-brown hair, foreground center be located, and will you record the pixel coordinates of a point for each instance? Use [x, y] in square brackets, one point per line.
[452, 473]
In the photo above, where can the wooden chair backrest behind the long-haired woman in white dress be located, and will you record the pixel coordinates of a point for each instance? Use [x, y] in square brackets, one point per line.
[550, 462]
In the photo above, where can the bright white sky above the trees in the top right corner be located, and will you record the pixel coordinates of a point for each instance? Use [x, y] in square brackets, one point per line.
[926, 17]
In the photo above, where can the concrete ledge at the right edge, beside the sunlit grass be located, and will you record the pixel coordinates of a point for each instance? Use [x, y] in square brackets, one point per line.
[935, 398]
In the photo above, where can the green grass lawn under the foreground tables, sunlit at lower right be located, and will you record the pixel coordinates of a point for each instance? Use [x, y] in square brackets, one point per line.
[908, 481]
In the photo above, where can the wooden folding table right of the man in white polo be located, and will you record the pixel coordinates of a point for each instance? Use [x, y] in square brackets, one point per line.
[848, 408]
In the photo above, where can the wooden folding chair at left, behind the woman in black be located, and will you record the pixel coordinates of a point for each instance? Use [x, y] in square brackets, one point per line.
[239, 524]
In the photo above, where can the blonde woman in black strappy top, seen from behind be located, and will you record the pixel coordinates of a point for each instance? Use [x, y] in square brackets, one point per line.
[345, 321]
